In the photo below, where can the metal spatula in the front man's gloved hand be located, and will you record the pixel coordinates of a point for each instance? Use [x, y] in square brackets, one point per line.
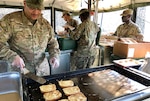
[32, 76]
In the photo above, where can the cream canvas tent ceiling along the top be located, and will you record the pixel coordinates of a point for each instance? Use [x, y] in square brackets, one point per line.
[76, 5]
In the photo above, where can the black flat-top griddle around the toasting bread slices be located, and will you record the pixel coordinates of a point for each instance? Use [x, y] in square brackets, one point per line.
[91, 87]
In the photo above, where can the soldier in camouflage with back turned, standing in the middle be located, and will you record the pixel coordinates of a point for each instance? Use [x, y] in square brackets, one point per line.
[85, 34]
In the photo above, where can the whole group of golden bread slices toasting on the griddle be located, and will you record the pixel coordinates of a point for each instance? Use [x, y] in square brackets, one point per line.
[73, 93]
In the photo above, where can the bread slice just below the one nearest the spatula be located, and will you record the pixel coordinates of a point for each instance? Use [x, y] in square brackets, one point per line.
[52, 96]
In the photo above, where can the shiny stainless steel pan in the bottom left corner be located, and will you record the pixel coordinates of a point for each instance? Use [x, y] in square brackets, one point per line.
[10, 87]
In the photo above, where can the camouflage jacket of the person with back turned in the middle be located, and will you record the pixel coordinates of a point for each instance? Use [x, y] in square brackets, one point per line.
[85, 34]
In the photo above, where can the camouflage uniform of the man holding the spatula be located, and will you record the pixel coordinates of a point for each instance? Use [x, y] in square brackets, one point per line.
[18, 36]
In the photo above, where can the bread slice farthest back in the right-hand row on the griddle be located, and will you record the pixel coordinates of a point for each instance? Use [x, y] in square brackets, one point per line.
[65, 83]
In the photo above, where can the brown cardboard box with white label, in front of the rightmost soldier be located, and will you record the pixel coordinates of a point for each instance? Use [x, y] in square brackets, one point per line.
[131, 50]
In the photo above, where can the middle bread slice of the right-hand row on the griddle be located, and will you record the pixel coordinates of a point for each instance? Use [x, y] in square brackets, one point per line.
[71, 90]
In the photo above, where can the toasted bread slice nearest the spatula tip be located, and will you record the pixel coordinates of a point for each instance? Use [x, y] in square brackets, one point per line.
[47, 88]
